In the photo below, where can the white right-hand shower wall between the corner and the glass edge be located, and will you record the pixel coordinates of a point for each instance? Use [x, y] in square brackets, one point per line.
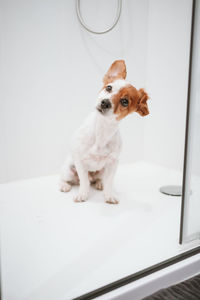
[167, 79]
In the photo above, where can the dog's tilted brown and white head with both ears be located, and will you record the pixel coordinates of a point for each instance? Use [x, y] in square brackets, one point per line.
[118, 98]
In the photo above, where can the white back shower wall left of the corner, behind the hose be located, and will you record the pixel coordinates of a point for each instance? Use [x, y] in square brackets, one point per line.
[51, 70]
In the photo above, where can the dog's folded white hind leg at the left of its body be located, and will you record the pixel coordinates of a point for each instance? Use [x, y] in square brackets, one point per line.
[68, 176]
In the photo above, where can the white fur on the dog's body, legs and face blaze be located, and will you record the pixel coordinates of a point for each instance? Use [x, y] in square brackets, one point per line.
[96, 146]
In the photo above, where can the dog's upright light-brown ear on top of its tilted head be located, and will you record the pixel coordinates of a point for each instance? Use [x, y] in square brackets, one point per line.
[116, 71]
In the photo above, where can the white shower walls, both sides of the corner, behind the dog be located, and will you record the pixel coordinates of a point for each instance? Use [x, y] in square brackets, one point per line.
[51, 70]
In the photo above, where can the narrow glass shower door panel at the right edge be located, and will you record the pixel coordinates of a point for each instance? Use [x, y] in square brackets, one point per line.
[190, 216]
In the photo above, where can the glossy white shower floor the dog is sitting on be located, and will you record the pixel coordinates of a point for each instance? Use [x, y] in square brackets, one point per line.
[53, 248]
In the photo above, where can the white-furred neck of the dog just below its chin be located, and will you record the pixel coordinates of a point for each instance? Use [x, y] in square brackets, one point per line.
[105, 128]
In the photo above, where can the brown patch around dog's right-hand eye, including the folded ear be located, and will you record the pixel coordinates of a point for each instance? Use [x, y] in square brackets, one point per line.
[129, 100]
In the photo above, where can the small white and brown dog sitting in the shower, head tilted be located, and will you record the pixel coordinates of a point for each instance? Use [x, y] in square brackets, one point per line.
[96, 145]
